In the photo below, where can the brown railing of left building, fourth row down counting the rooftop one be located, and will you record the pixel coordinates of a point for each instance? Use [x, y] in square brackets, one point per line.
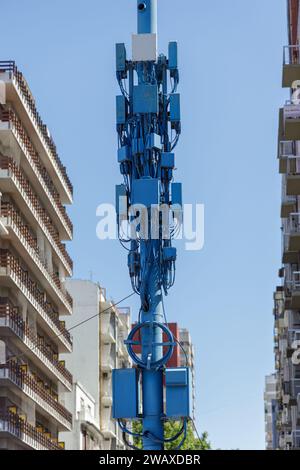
[18, 224]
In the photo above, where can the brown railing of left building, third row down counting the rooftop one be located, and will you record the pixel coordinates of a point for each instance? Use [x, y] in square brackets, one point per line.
[8, 164]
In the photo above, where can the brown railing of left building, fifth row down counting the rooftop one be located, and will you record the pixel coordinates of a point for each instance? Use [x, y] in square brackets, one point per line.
[12, 265]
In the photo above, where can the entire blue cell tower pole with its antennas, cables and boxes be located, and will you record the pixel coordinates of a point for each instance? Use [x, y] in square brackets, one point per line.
[147, 119]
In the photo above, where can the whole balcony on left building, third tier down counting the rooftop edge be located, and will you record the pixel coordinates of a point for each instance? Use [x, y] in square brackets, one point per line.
[12, 180]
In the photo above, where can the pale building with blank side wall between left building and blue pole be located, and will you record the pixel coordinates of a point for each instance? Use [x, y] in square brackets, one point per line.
[98, 349]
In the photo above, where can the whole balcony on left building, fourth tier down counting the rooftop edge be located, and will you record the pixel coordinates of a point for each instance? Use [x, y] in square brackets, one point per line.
[27, 247]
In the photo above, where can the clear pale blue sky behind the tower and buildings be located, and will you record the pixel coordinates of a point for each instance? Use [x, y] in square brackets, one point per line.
[230, 59]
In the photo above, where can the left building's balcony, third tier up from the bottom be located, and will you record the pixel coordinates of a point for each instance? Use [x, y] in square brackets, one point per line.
[12, 324]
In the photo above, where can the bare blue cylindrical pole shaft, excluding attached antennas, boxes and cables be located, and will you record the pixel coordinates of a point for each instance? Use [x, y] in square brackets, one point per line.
[152, 380]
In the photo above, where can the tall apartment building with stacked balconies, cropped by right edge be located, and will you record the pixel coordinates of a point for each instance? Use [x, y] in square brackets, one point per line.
[287, 295]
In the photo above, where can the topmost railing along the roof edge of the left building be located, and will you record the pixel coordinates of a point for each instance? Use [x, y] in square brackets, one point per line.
[10, 66]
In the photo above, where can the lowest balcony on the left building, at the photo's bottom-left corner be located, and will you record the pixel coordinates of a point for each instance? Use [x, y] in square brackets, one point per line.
[11, 425]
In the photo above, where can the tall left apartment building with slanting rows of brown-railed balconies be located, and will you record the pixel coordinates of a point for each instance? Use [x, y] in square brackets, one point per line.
[34, 264]
